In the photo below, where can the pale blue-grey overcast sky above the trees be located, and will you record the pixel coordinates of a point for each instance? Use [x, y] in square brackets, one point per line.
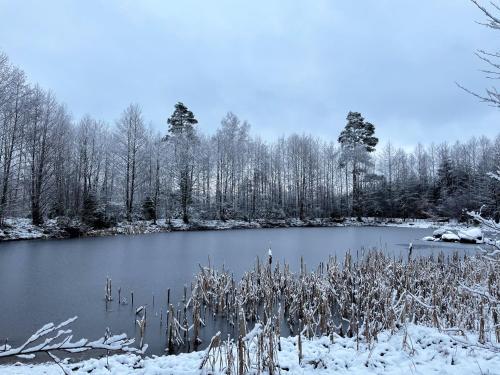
[285, 66]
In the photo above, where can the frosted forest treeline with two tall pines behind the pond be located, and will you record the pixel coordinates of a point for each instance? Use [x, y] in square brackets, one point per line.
[53, 165]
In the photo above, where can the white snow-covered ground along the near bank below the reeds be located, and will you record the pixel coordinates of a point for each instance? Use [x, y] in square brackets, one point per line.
[411, 350]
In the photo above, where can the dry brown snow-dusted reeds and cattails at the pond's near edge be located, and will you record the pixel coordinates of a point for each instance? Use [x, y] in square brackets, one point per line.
[354, 299]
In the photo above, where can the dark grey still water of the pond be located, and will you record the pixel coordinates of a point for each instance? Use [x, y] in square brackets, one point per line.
[50, 281]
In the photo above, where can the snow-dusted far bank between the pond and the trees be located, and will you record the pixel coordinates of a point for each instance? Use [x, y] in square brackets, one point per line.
[21, 229]
